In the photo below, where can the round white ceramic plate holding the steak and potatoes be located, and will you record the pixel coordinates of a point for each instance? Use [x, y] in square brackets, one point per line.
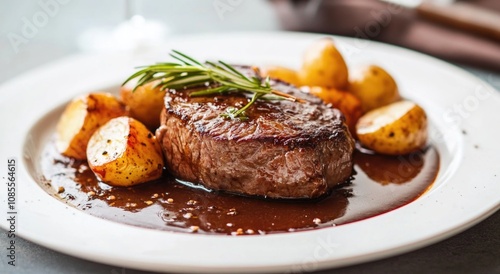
[464, 117]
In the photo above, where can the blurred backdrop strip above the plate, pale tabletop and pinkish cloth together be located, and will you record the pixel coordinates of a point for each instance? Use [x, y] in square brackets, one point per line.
[35, 32]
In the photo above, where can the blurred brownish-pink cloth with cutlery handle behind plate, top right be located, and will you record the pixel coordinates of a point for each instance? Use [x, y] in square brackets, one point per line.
[464, 32]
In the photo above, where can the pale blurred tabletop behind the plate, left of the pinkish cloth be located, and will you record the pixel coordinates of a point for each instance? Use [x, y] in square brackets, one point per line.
[29, 38]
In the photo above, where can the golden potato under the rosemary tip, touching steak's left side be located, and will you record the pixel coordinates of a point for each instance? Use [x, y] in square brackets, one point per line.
[145, 103]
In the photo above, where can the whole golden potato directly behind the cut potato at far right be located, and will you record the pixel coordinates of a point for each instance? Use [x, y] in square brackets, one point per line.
[373, 86]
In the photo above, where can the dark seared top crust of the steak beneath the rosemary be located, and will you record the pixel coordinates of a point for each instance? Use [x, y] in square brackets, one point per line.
[279, 122]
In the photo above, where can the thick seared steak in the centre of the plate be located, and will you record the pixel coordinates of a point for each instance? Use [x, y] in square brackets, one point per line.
[283, 150]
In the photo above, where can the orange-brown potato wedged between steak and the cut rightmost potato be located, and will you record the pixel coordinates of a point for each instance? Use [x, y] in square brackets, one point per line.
[344, 101]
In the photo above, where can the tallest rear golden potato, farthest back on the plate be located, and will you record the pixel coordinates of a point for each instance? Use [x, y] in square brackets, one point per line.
[323, 65]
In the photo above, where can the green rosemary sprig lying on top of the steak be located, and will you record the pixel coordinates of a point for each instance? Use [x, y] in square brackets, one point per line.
[190, 73]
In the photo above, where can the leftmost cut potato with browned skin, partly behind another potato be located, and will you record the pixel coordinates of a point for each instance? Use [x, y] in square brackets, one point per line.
[81, 118]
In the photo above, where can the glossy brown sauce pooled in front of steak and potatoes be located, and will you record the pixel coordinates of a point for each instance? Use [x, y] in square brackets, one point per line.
[380, 184]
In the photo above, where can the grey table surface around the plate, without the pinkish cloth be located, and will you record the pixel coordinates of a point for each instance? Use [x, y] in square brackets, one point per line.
[476, 250]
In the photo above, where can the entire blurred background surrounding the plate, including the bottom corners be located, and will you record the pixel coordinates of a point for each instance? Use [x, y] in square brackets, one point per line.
[466, 33]
